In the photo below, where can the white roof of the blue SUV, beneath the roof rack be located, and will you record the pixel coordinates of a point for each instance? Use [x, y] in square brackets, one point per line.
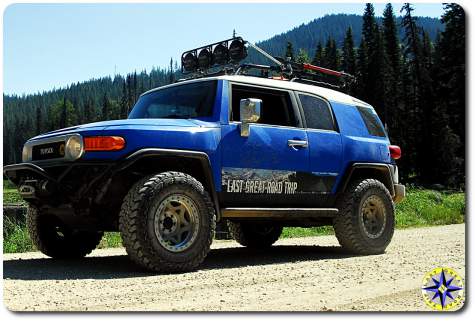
[326, 93]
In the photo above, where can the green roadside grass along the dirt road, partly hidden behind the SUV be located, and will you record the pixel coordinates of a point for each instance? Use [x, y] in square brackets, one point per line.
[422, 207]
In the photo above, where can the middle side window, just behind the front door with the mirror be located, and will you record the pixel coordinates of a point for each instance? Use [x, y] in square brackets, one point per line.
[317, 112]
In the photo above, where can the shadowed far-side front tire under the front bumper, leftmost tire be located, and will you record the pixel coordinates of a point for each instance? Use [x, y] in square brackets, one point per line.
[56, 240]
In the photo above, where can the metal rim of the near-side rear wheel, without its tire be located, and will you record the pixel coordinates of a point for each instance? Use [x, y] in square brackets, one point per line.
[373, 216]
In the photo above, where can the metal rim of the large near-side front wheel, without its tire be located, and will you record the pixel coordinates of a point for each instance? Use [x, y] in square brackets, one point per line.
[176, 222]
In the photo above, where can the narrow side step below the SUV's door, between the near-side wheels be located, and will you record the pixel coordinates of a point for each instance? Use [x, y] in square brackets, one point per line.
[290, 213]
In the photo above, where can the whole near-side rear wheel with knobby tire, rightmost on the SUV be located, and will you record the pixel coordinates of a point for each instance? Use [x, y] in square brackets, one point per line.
[365, 223]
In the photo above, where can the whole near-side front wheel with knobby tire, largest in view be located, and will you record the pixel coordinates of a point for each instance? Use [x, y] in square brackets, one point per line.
[167, 222]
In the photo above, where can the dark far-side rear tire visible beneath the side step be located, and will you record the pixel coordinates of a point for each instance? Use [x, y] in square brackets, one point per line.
[254, 235]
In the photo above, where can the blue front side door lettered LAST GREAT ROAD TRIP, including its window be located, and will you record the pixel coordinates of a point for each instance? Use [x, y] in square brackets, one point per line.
[264, 168]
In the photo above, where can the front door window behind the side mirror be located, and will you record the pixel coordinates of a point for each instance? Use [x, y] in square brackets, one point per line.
[276, 107]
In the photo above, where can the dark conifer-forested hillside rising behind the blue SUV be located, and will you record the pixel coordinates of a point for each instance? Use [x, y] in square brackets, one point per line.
[412, 70]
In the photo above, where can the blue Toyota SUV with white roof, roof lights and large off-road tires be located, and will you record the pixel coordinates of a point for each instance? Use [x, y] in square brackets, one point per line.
[256, 152]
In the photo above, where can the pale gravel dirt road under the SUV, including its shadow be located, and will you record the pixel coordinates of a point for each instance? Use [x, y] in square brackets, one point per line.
[311, 274]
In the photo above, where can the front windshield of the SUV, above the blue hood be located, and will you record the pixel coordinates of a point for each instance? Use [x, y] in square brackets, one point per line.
[193, 100]
